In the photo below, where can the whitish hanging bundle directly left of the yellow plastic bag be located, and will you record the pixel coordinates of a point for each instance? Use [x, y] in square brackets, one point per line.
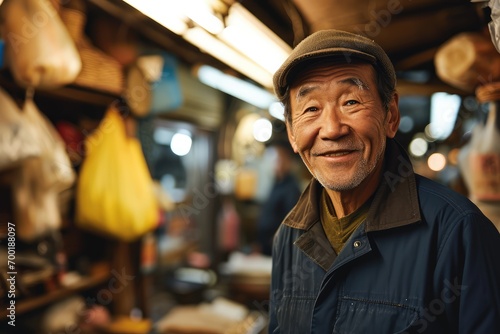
[38, 181]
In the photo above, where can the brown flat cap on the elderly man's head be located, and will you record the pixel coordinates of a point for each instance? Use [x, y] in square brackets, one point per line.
[332, 43]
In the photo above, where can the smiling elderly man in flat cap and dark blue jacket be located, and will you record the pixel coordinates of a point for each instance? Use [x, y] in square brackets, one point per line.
[371, 247]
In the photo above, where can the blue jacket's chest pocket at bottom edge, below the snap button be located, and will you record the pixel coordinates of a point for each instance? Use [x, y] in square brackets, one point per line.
[358, 315]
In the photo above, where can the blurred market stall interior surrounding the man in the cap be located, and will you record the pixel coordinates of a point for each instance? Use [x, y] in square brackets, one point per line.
[137, 143]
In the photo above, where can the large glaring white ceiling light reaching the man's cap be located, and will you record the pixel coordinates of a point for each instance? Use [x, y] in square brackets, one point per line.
[245, 44]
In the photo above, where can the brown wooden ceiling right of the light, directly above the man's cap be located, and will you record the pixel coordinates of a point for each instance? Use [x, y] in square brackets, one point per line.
[410, 31]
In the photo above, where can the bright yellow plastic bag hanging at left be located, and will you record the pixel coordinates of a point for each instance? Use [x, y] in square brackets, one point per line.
[115, 193]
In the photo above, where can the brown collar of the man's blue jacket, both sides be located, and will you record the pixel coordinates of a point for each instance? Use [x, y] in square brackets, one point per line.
[395, 202]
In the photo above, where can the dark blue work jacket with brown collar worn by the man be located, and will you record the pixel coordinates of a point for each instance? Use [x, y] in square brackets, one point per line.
[425, 260]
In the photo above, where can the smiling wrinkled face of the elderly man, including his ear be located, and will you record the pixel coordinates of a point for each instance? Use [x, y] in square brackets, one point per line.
[338, 124]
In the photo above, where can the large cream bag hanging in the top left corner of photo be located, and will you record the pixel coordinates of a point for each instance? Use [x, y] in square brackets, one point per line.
[38, 49]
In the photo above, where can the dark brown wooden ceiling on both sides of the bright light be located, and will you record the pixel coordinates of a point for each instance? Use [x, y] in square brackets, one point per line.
[410, 31]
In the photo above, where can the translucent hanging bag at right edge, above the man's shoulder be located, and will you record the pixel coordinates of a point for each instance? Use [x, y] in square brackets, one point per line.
[479, 161]
